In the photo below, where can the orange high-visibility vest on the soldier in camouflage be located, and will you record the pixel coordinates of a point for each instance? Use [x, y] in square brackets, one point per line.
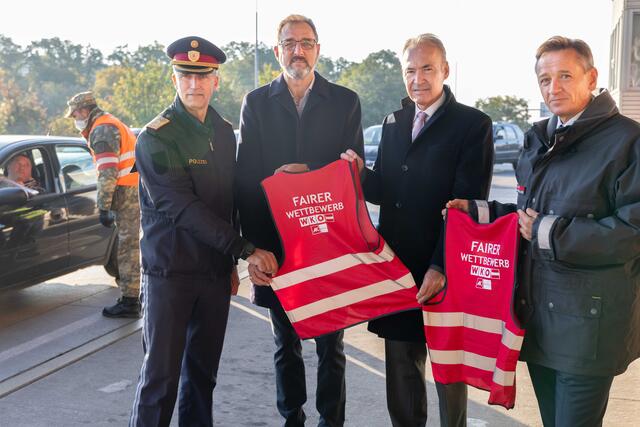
[126, 158]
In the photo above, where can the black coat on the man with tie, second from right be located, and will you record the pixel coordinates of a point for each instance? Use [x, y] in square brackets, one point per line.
[451, 158]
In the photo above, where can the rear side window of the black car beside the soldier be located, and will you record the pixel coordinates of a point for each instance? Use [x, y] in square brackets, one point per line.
[77, 169]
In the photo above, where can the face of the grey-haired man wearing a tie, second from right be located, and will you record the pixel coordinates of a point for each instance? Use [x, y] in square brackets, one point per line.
[424, 71]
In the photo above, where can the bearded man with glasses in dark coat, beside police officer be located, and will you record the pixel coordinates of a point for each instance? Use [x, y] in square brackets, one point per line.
[298, 122]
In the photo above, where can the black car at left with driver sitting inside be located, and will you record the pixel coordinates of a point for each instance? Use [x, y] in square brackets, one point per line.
[53, 229]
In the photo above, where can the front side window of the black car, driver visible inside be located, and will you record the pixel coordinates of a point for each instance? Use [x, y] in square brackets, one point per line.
[28, 168]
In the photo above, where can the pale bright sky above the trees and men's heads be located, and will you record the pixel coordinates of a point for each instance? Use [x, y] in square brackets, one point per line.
[490, 44]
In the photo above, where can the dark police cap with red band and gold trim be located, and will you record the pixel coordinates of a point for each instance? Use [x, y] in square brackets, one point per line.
[195, 55]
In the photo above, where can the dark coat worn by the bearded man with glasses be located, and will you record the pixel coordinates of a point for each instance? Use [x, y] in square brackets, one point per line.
[272, 135]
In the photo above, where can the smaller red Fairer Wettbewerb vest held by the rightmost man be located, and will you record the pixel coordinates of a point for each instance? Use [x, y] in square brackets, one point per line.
[472, 335]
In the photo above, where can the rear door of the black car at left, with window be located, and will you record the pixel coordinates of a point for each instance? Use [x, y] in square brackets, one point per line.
[89, 241]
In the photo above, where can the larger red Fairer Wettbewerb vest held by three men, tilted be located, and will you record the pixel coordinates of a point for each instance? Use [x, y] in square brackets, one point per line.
[337, 270]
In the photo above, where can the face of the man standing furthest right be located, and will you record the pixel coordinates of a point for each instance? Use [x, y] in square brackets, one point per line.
[565, 83]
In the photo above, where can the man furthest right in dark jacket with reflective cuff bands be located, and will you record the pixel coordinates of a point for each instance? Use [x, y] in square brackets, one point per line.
[579, 207]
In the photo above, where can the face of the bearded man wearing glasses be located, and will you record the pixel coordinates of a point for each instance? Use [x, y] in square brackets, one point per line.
[297, 50]
